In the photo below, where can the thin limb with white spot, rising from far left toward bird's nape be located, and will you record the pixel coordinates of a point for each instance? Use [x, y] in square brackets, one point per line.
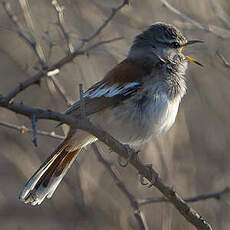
[58, 65]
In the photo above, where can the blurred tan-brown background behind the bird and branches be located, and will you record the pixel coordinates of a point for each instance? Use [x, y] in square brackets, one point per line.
[193, 157]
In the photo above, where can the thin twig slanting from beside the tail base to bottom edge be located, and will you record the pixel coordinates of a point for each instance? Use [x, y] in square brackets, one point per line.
[134, 204]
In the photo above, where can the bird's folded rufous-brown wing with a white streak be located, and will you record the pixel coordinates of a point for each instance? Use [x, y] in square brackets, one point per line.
[118, 85]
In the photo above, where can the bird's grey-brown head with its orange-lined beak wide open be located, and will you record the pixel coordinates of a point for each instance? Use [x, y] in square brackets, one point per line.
[162, 41]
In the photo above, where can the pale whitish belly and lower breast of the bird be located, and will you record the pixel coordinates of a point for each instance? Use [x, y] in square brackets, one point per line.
[133, 124]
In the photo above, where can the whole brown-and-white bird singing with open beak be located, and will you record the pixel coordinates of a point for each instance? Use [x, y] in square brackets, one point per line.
[137, 100]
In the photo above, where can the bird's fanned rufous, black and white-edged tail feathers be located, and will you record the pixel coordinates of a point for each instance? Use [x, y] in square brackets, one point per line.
[45, 181]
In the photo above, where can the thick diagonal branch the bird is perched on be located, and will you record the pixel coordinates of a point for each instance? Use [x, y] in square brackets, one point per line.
[190, 214]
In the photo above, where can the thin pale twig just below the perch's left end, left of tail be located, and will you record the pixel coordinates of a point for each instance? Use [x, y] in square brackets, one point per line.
[24, 129]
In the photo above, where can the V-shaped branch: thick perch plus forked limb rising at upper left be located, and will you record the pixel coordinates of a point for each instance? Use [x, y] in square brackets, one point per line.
[124, 151]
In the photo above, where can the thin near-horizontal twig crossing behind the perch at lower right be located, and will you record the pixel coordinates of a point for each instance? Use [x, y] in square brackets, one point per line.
[216, 195]
